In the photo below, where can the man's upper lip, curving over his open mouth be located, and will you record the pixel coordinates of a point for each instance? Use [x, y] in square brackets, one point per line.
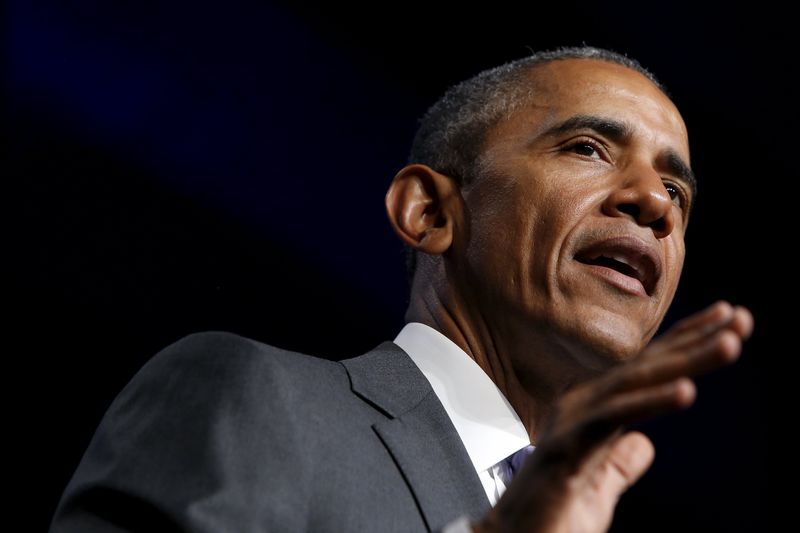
[641, 257]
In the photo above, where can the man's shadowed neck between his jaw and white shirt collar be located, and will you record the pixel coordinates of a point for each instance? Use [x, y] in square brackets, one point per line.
[532, 373]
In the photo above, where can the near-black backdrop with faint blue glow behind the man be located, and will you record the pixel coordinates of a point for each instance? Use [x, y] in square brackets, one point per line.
[187, 166]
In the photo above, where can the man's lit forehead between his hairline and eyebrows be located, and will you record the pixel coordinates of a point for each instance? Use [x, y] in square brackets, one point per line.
[564, 88]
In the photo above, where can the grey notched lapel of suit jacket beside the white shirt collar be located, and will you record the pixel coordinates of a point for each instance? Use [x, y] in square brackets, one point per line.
[419, 435]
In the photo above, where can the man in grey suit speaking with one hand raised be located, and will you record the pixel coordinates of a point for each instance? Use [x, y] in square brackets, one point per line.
[545, 203]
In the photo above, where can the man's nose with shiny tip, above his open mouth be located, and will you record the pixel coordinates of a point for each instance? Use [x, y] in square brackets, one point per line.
[641, 195]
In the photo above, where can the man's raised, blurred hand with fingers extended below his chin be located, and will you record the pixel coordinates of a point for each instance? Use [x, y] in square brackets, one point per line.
[585, 459]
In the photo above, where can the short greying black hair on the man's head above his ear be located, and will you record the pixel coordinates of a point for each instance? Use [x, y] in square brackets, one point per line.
[451, 133]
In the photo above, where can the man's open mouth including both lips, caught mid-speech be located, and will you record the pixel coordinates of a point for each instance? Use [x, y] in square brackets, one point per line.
[630, 257]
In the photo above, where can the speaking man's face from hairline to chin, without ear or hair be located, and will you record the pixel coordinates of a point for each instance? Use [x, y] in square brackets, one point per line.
[575, 235]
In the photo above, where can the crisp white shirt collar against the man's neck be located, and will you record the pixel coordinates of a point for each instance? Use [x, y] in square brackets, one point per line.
[487, 424]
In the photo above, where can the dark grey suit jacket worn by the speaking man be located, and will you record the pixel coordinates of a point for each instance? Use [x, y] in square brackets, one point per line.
[219, 433]
